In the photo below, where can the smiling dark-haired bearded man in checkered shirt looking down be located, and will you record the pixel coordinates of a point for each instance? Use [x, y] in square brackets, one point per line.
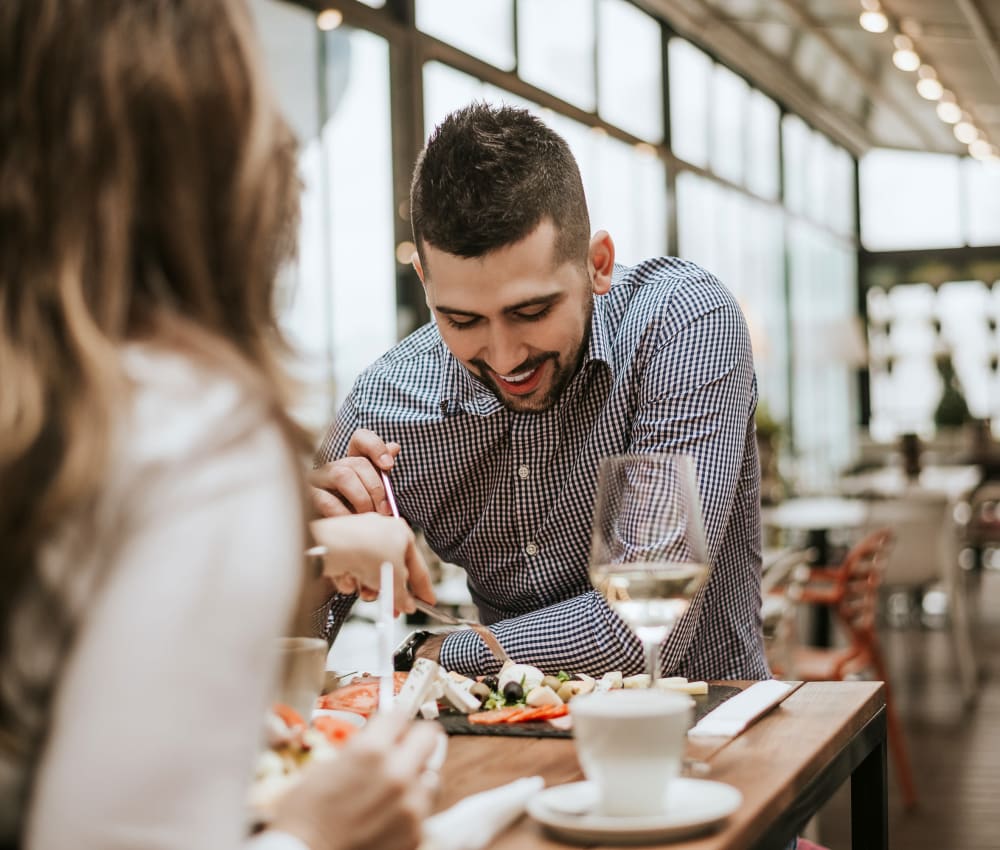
[543, 358]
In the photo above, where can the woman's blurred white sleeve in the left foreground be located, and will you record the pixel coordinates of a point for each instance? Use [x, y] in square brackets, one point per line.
[158, 713]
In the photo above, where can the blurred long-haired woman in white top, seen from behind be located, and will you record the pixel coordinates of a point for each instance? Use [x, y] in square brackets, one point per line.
[151, 520]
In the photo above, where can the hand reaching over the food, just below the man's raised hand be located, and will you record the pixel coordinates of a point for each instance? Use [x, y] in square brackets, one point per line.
[358, 544]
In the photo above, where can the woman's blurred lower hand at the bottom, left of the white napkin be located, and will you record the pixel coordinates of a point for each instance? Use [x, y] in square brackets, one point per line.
[375, 794]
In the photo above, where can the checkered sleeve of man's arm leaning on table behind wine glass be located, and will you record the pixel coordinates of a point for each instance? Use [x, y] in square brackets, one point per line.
[697, 397]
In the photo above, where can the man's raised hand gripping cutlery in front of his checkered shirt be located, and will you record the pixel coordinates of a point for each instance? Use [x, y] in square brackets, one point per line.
[352, 485]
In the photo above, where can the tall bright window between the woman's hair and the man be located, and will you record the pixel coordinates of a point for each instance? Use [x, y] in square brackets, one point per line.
[338, 301]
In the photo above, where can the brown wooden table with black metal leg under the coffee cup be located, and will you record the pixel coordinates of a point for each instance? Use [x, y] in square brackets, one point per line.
[787, 766]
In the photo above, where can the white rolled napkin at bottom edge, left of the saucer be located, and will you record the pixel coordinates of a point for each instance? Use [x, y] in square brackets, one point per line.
[474, 822]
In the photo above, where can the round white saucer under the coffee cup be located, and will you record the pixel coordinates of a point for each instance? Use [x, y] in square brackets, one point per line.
[694, 806]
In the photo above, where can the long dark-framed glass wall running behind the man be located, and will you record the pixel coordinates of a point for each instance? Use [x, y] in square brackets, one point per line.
[779, 232]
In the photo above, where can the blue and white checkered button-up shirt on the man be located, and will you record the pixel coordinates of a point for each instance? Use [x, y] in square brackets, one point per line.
[509, 496]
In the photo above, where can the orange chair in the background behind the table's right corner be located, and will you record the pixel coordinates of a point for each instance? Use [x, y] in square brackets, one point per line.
[851, 590]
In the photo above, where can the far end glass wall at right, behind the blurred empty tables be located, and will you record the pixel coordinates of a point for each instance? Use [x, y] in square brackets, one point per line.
[933, 337]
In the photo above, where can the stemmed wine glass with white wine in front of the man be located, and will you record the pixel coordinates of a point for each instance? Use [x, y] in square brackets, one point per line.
[648, 556]
